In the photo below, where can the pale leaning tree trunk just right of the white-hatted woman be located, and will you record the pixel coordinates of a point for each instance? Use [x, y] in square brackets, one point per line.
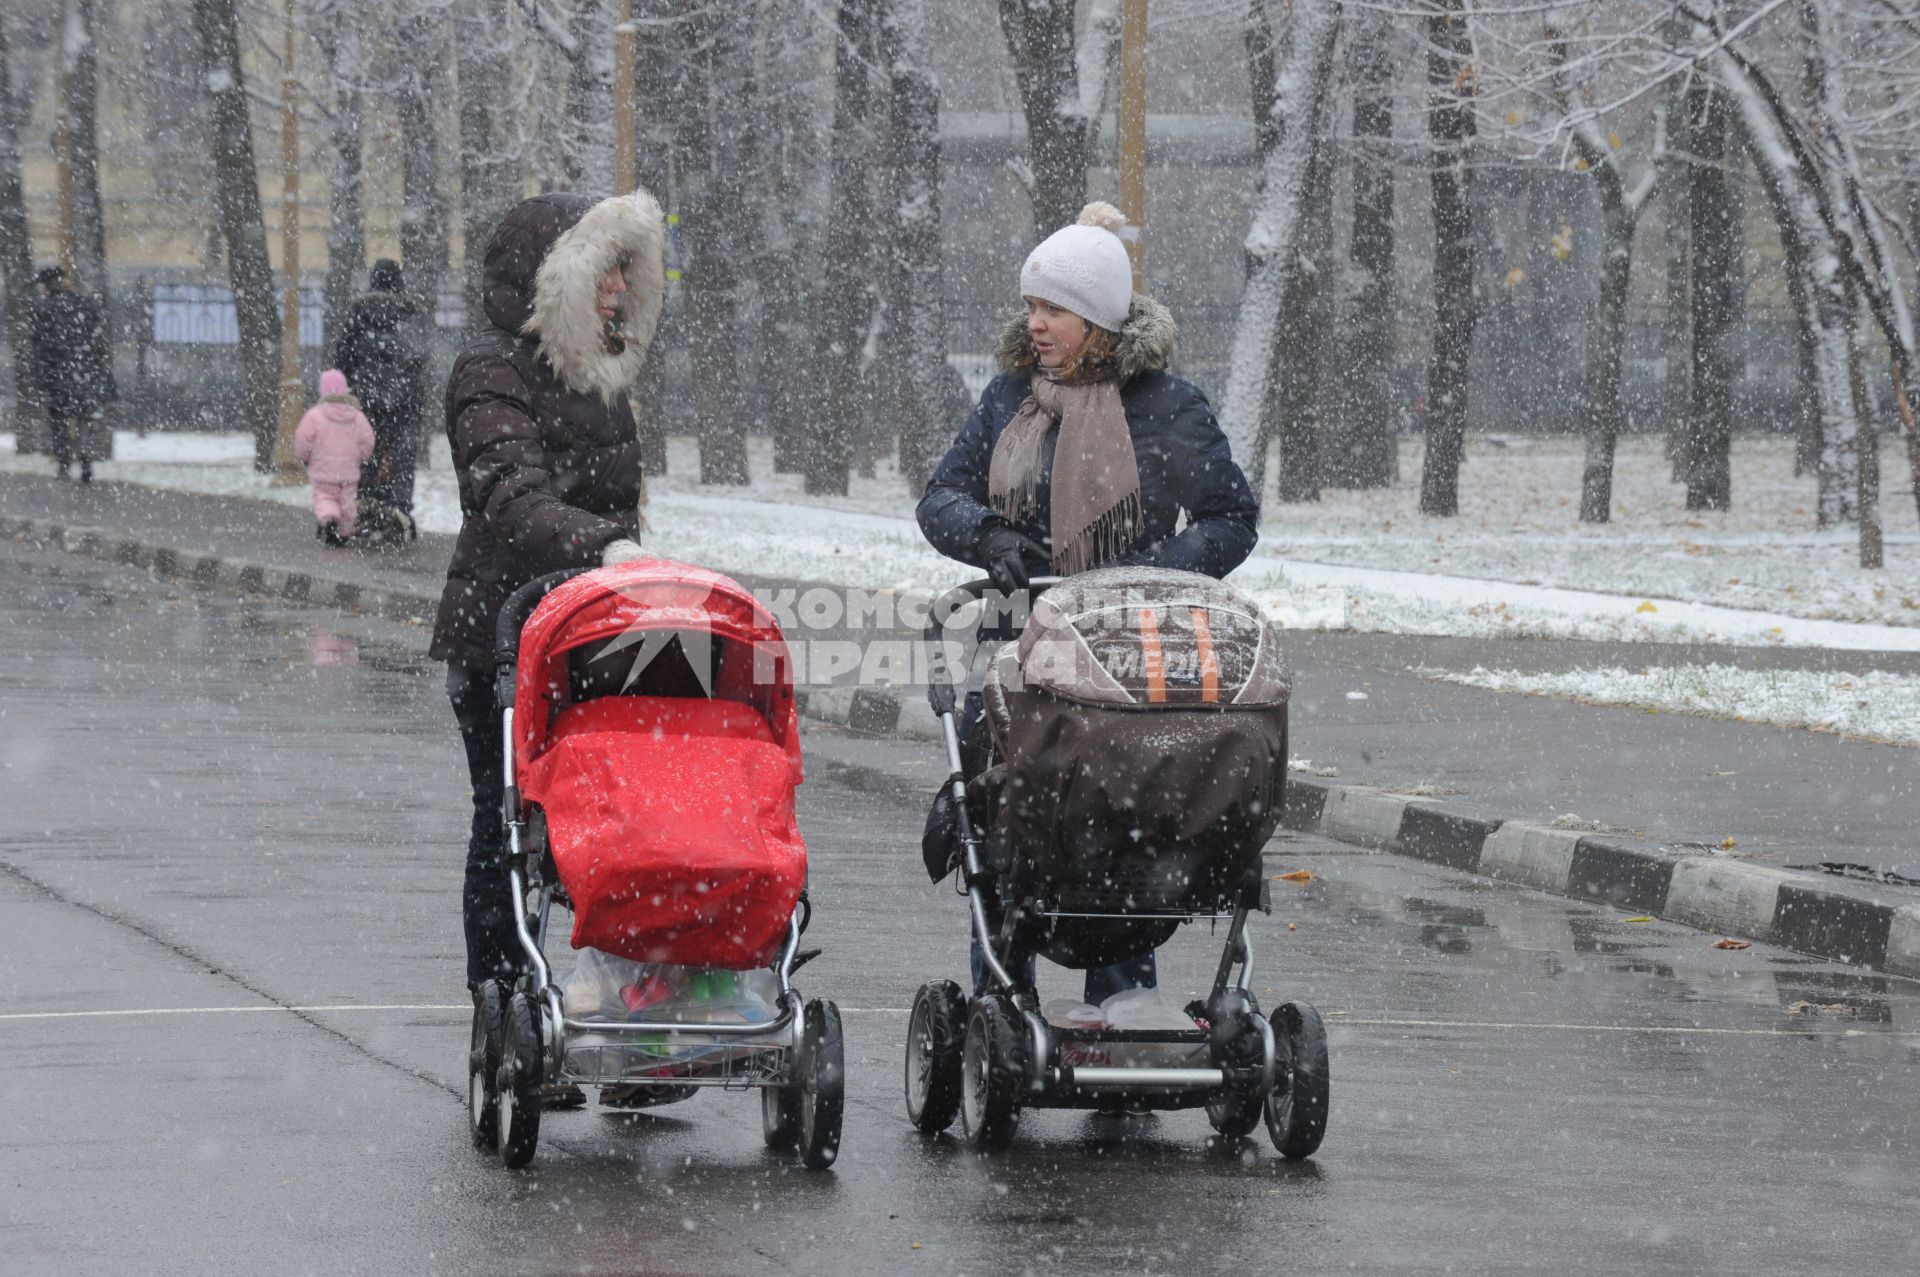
[1278, 233]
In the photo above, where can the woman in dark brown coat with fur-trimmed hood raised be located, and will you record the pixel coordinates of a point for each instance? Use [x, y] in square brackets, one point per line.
[548, 468]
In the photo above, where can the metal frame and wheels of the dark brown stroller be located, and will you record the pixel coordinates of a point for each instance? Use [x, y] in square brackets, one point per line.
[994, 1055]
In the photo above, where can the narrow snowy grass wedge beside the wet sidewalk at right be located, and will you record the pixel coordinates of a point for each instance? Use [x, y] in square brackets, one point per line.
[1884, 708]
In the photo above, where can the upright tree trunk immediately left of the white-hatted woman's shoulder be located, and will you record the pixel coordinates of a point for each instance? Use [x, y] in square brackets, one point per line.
[917, 153]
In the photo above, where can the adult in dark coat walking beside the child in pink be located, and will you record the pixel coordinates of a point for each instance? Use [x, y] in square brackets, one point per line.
[383, 352]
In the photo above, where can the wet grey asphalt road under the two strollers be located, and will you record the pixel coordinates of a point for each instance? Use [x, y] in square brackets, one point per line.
[233, 831]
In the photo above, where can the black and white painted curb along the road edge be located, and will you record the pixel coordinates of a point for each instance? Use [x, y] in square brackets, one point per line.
[1714, 894]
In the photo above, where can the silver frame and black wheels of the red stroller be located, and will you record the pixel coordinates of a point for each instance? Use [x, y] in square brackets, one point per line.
[525, 1048]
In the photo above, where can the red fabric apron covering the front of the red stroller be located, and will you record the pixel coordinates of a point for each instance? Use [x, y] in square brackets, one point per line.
[673, 831]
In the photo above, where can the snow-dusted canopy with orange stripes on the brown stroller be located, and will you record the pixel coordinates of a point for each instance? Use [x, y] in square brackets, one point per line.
[1151, 637]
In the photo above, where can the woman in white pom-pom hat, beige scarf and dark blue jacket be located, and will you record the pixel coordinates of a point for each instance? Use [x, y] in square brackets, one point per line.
[1084, 452]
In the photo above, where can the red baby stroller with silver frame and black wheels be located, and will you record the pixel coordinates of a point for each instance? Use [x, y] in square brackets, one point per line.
[650, 792]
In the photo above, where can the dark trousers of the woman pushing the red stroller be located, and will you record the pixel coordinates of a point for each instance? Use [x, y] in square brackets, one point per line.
[492, 946]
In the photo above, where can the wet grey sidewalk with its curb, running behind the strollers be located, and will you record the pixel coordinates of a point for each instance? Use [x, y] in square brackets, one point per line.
[1648, 806]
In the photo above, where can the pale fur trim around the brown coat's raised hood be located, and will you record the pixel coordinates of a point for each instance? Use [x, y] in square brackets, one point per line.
[565, 322]
